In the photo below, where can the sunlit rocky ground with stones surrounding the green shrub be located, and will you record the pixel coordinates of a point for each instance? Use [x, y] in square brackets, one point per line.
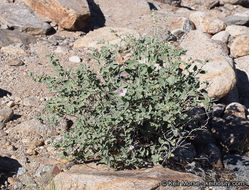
[217, 30]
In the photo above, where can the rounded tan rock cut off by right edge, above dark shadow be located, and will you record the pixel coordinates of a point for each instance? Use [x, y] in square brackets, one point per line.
[240, 46]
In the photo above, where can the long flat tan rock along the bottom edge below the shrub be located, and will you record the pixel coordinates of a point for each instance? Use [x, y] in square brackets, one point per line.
[96, 178]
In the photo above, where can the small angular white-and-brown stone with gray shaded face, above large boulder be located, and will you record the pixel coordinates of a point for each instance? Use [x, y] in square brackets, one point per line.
[180, 26]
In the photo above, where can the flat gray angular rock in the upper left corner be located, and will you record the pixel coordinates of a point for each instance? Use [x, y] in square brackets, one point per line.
[22, 18]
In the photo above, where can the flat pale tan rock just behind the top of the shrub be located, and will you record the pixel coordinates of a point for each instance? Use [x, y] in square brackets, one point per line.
[102, 37]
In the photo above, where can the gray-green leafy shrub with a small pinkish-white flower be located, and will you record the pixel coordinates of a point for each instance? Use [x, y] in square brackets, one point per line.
[133, 112]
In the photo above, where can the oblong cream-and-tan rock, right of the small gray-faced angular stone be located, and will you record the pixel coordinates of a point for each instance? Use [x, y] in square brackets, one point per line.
[207, 22]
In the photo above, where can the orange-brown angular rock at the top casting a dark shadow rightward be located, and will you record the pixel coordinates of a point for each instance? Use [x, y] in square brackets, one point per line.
[69, 14]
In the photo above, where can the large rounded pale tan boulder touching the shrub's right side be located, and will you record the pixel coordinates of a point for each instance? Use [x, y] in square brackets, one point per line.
[220, 73]
